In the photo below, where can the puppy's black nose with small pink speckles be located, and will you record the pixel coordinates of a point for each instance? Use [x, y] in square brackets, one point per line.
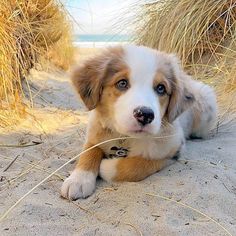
[144, 115]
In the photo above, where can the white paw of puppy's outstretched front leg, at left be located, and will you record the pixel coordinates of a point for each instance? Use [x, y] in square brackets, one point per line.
[80, 184]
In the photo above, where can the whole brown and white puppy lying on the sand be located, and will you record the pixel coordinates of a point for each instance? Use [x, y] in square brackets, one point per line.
[135, 91]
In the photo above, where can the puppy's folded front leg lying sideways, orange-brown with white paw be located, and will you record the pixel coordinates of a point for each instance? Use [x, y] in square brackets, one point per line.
[129, 169]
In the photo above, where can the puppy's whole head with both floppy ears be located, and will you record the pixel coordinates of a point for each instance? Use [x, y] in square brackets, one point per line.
[133, 89]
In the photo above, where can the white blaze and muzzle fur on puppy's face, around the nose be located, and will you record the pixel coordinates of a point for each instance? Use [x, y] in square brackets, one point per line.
[143, 64]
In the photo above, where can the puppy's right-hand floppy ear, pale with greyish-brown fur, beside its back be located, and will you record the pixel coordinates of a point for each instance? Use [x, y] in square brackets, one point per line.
[181, 97]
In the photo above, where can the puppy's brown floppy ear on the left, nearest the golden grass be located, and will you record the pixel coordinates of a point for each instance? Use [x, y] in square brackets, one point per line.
[88, 80]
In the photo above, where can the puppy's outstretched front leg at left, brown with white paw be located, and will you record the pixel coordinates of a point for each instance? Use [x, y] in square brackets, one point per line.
[82, 181]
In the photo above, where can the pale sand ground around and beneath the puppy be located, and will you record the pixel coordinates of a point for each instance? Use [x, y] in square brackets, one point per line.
[178, 200]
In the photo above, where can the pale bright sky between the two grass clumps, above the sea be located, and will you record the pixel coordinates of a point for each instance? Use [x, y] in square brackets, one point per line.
[99, 16]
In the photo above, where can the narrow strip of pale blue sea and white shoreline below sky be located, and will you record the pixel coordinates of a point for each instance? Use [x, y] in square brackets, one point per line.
[100, 40]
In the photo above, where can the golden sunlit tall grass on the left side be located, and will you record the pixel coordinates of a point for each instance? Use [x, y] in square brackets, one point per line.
[29, 31]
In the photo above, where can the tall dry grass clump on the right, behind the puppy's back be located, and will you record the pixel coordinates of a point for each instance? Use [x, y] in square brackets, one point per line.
[202, 33]
